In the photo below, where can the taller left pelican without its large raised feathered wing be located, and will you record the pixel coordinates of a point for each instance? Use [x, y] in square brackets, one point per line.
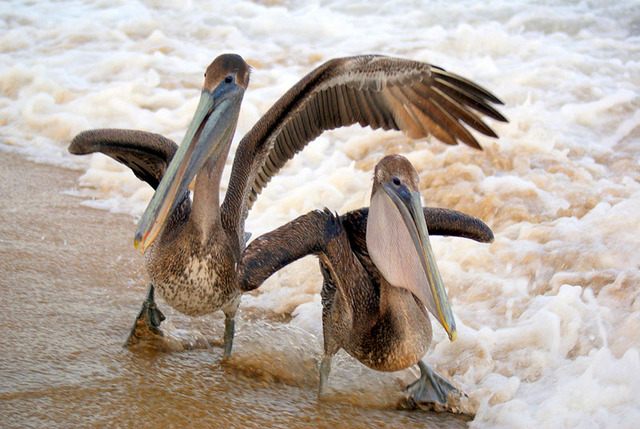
[190, 257]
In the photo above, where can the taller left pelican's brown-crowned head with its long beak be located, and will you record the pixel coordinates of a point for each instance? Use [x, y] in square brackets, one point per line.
[208, 136]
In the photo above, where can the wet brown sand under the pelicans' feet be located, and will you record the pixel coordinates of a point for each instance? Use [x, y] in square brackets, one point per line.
[71, 286]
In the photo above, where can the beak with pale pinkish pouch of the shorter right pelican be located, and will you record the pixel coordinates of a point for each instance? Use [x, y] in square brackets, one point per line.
[414, 264]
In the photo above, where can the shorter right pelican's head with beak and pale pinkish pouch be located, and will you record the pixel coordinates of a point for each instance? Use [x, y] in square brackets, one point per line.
[398, 240]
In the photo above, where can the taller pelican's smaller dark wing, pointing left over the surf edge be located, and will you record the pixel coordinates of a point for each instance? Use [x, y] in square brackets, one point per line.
[146, 154]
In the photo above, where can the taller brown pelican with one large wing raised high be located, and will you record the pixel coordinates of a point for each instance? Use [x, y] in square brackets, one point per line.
[193, 247]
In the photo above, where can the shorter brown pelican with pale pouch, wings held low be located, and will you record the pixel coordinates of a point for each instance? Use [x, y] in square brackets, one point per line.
[380, 275]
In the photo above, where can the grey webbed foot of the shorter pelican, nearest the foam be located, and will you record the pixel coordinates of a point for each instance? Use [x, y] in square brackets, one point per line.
[431, 391]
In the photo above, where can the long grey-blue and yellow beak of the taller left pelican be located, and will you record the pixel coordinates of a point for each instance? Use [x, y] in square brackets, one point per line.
[210, 130]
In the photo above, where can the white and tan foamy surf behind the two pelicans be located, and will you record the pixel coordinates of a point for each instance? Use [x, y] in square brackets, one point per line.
[548, 315]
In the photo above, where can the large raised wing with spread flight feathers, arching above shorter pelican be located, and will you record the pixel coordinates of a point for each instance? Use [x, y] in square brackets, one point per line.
[381, 92]
